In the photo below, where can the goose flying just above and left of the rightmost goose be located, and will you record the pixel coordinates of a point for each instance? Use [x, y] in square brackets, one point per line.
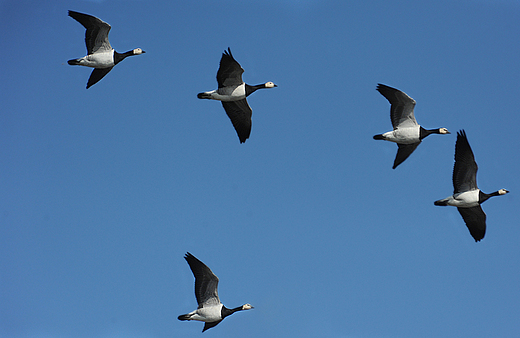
[407, 133]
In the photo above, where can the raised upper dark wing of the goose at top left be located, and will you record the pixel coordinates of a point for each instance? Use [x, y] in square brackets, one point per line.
[96, 36]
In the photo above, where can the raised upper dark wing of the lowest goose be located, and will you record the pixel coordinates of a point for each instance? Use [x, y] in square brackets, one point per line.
[206, 283]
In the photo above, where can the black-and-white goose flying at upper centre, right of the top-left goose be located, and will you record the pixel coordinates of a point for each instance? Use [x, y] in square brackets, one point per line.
[232, 92]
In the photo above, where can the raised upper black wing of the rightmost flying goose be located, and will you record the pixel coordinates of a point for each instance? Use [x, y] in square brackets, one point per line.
[465, 168]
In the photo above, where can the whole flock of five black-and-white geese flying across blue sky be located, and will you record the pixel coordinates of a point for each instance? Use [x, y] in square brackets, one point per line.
[232, 92]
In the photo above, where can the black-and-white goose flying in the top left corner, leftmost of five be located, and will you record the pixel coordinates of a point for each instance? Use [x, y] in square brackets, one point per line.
[100, 55]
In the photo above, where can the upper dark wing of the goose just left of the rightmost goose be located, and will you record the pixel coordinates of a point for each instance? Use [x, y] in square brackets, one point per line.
[401, 109]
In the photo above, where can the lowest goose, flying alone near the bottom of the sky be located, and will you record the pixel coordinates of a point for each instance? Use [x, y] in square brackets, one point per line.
[210, 310]
